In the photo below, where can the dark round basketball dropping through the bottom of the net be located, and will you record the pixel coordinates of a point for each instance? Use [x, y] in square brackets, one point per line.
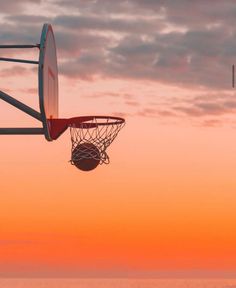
[86, 156]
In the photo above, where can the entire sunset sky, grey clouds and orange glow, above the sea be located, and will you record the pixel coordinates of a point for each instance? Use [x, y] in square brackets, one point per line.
[165, 205]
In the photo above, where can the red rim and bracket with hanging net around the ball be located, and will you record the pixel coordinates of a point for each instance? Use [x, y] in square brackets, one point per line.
[90, 136]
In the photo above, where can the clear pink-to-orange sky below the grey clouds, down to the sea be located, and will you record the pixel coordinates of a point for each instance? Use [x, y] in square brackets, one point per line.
[166, 202]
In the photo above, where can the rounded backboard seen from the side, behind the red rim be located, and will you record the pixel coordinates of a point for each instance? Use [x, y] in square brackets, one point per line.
[48, 79]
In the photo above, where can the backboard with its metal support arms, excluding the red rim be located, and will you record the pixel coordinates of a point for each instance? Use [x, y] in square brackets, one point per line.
[47, 86]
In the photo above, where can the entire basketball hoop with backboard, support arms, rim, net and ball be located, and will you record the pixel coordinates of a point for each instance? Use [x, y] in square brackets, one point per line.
[90, 135]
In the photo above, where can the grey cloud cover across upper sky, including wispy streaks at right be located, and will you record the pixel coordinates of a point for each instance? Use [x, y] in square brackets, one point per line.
[188, 44]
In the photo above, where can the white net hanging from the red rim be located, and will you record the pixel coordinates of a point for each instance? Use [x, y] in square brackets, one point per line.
[96, 135]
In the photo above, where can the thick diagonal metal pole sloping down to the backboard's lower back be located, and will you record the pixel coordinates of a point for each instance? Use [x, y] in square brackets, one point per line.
[30, 111]
